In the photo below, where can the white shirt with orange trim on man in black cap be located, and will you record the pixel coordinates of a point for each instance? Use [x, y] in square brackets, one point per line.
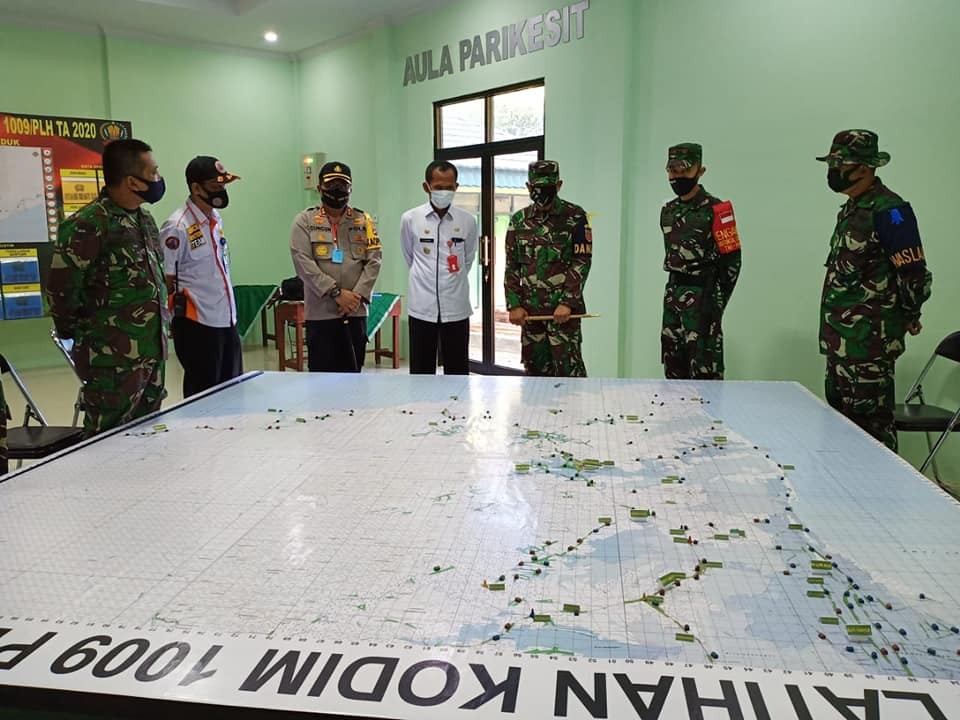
[194, 249]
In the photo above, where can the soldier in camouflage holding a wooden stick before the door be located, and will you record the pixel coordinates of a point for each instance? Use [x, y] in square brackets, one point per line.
[549, 248]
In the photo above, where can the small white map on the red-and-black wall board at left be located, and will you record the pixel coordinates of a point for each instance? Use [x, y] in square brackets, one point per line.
[23, 215]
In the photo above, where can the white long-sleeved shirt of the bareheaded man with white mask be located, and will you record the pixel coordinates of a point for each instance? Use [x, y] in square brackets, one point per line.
[440, 253]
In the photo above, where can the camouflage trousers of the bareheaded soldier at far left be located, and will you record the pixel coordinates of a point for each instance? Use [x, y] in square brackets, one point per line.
[113, 396]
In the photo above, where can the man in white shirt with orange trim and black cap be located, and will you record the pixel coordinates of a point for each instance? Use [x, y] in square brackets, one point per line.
[197, 265]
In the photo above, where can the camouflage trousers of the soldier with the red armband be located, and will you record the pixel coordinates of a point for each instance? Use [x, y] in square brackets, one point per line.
[691, 347]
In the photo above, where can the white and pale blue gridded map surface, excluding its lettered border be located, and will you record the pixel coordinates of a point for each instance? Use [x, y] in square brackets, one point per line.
[389, 509]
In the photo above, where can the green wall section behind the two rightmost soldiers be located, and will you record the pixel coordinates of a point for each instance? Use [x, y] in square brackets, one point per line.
[764, 99]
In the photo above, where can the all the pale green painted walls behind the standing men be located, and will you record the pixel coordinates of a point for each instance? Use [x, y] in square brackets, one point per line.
[762, 85]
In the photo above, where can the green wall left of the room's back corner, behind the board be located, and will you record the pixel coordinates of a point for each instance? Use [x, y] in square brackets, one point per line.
[184, 102]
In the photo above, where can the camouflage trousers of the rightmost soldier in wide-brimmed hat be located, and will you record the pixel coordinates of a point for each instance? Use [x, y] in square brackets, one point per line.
[864, 392]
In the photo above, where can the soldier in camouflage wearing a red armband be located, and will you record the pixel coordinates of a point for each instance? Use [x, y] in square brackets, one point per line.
[702, 257]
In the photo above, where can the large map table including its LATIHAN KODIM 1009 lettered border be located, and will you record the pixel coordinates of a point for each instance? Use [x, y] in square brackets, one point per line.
[395, 546]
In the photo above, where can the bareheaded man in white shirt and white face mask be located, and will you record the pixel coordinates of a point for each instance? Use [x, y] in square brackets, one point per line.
[440, 246]
